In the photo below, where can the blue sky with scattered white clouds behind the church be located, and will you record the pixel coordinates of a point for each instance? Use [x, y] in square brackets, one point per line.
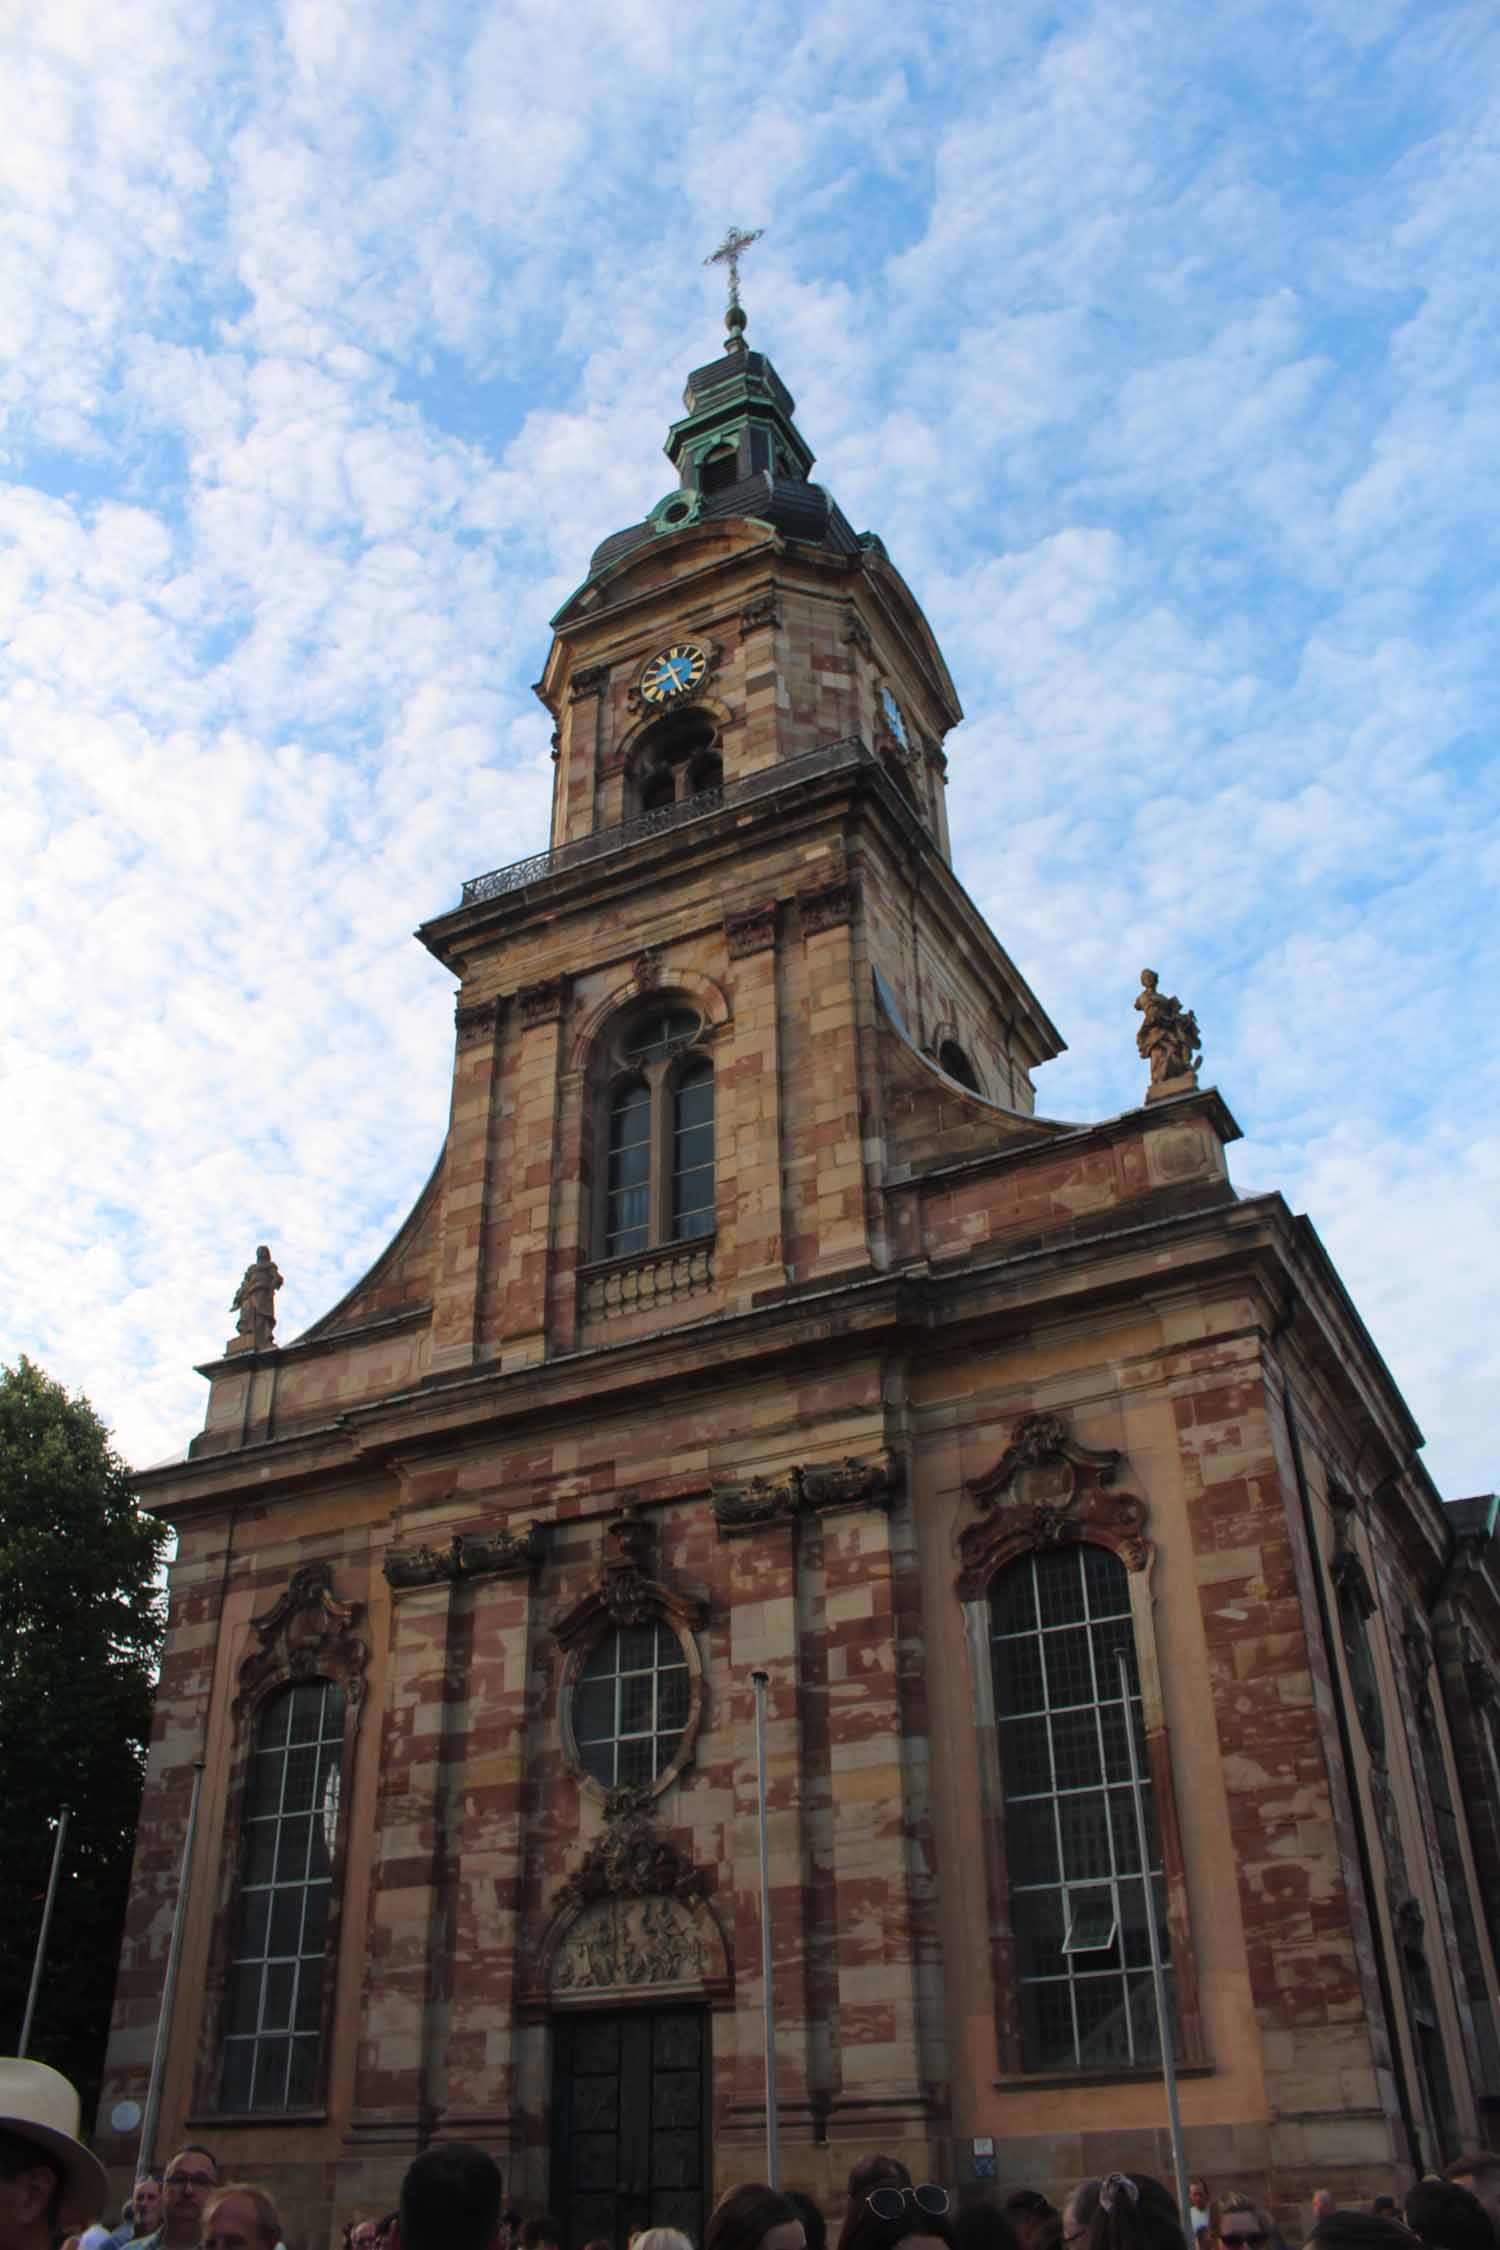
[1157, 343]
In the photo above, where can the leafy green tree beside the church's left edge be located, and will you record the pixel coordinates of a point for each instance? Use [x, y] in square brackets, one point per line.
[80, 1637]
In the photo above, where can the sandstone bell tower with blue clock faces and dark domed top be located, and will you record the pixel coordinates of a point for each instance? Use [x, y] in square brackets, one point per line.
[746, 955]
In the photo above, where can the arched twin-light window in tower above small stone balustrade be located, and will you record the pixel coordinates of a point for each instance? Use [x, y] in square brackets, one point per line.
[658, 1135]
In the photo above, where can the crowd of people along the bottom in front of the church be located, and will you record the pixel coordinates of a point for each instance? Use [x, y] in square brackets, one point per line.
[53, 2197]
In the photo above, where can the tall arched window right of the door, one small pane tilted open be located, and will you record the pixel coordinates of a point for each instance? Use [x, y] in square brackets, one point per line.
[1078, 1900]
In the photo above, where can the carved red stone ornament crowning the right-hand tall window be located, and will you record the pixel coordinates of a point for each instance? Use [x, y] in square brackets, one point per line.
[1047, 1491]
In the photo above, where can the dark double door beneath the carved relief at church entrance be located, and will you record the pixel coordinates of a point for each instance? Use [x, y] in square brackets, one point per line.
[631, 2123]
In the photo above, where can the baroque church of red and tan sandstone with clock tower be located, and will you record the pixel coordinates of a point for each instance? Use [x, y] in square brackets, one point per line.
[754, 1326]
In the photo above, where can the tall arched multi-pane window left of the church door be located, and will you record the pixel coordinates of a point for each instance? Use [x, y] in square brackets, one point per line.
[275, 1999]
